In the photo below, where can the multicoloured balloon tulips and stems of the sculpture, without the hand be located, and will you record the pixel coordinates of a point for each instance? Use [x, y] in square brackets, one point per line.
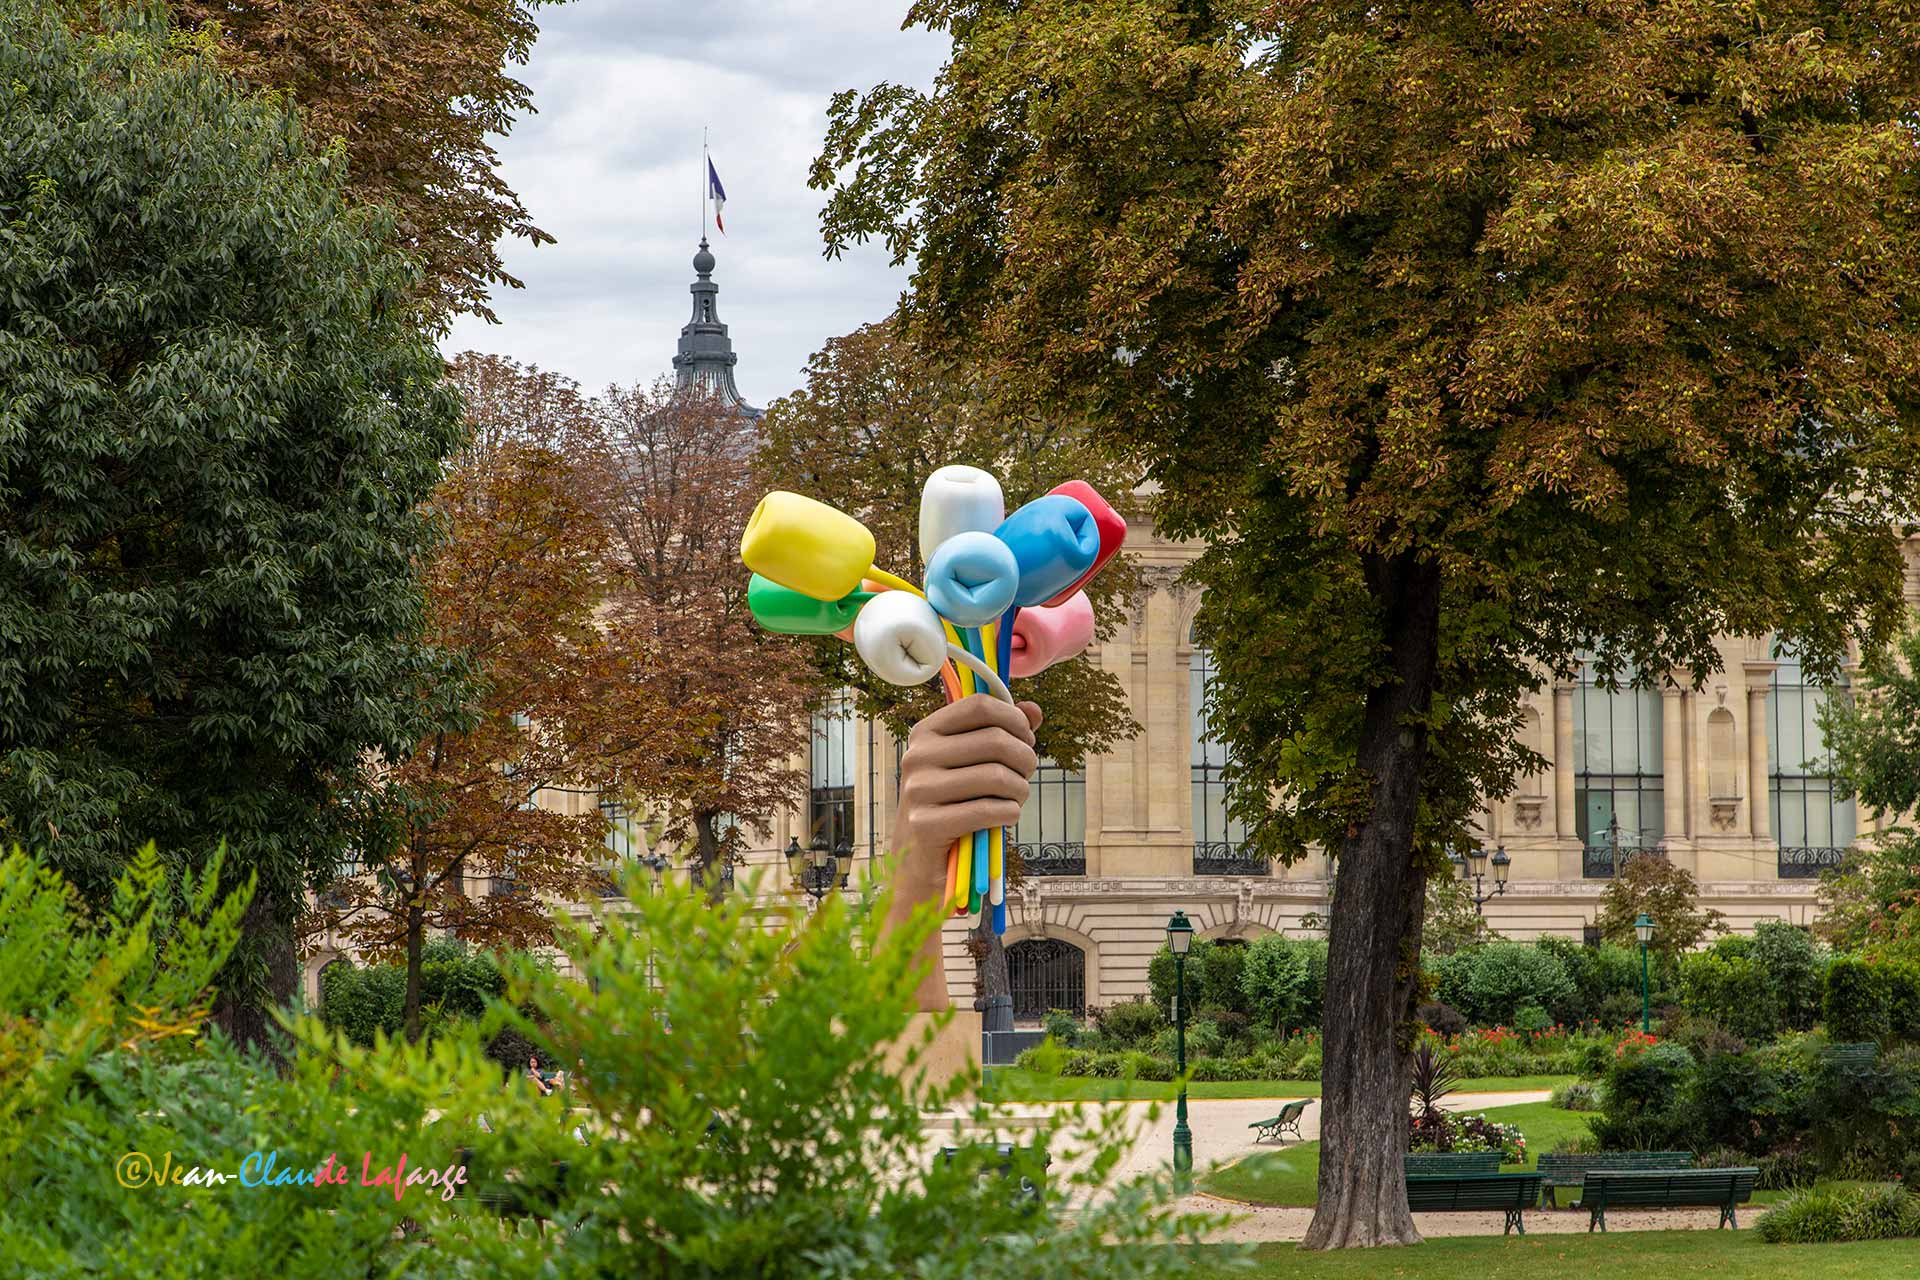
[1003, 602]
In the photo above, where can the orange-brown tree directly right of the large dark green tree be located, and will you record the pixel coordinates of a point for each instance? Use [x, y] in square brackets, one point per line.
[562, 696]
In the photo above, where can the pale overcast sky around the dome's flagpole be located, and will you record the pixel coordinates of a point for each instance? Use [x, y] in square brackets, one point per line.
[612, 166]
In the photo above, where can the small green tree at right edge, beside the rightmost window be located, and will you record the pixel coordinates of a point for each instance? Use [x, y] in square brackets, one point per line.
[1873, 903]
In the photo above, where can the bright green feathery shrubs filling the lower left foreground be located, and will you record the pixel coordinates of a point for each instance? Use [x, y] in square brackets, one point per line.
[742, 1114]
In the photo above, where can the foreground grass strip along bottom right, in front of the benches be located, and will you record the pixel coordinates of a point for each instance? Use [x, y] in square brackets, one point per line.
[1621, 1256]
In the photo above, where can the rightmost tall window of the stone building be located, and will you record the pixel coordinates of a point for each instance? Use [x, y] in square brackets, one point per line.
[1813, 826]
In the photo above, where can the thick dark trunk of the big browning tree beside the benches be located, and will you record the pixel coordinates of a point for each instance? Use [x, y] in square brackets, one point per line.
[1376, 937]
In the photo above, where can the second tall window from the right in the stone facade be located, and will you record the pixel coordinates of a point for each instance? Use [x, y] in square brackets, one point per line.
[1618, 769]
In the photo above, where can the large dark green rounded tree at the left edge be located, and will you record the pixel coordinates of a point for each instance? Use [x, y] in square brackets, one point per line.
[218, 435]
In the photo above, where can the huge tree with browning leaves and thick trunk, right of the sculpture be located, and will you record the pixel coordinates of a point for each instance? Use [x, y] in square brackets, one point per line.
[1470, 337]
